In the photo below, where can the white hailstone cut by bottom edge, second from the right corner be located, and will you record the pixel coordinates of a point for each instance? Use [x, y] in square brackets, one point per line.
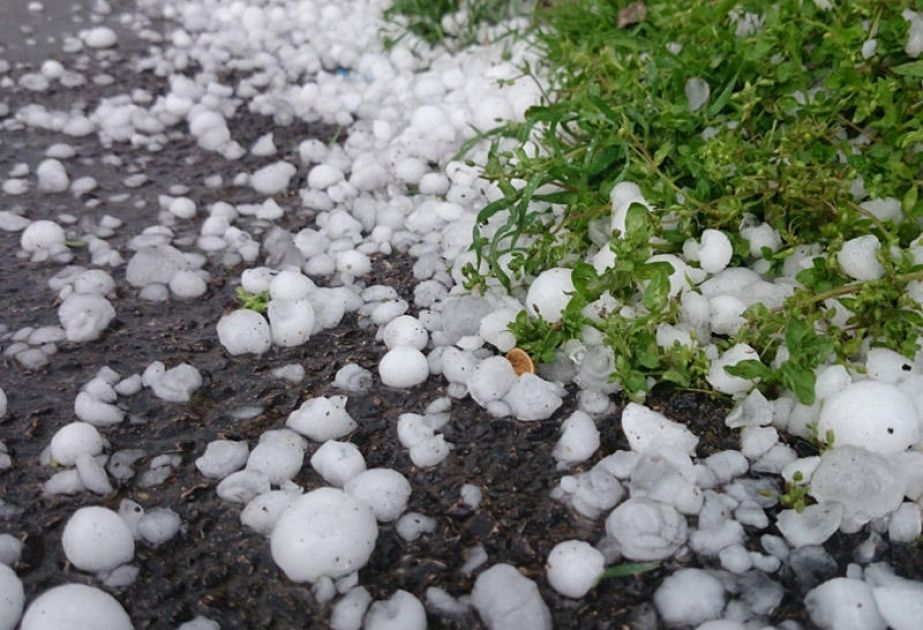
[844, 603]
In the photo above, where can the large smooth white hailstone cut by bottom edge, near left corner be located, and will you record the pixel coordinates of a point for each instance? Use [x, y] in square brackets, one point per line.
[73, 607]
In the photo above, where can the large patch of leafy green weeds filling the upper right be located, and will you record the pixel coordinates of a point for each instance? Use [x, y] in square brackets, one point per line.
[797, 120]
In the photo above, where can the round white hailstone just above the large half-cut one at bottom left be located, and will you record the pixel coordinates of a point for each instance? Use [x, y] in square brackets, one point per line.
[97, 539]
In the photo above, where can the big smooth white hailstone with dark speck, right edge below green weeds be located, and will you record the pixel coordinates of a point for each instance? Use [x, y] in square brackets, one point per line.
[874, 415]
